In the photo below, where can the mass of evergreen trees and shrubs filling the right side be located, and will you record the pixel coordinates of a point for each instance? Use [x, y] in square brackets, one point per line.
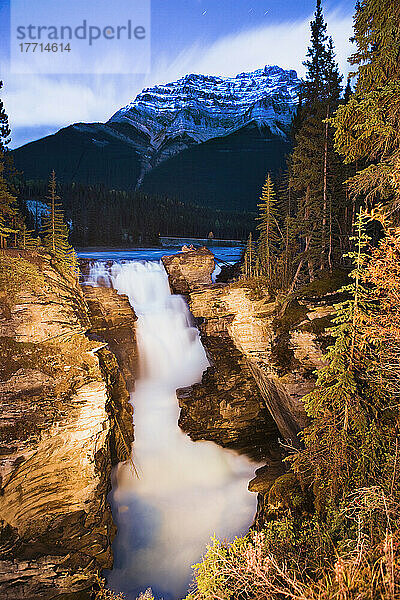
[331, 525]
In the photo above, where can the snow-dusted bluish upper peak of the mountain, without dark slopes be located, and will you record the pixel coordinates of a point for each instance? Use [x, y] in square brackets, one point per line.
[203, 107]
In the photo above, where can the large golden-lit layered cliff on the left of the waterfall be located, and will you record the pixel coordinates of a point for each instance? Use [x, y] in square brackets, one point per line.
[65, 420]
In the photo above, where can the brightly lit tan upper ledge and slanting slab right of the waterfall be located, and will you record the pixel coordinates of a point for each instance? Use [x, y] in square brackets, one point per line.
[282, 369]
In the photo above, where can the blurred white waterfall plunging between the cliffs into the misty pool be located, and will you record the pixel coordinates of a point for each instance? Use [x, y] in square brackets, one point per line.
[186, 491]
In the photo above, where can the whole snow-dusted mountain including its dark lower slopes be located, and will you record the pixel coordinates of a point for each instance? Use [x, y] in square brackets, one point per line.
[204, 139]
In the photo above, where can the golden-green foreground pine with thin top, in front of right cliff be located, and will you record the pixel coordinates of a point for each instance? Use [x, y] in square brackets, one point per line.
[339, 405]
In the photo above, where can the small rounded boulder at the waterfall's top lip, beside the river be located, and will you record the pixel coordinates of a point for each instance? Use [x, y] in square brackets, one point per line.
[189, 270]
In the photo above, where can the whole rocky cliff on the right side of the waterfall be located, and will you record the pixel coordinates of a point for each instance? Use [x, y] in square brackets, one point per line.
[263, 357]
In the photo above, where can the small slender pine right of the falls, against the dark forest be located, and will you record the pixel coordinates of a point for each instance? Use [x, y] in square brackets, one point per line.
[268, 235]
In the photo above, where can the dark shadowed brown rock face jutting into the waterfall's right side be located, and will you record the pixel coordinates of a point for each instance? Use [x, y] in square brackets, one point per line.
[226, 407]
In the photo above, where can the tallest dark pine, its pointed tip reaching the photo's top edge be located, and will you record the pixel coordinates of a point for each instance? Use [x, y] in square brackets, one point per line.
[313, 163]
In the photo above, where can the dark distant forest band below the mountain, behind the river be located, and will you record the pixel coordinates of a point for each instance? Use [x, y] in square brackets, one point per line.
[102, 217]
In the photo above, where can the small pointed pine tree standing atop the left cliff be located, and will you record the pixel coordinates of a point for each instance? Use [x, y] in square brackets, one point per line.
[55, 230]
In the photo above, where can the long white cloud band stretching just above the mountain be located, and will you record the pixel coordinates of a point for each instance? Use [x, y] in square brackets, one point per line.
[37, 101]
